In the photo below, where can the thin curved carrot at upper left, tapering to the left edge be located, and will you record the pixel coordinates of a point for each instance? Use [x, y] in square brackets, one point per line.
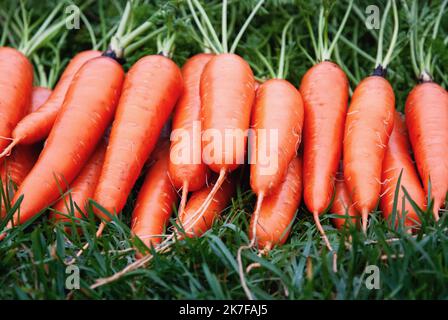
[37, 125]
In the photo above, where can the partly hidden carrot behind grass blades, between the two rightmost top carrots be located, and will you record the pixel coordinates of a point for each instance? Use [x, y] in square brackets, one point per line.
[396, 160]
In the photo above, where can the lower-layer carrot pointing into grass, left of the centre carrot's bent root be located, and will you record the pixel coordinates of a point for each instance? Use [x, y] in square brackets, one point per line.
[155, 202]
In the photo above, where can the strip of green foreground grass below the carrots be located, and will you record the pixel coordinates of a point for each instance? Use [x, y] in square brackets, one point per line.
[411, 267]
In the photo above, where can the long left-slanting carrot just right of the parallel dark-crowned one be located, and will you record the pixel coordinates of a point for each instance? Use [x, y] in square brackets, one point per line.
[151, 89]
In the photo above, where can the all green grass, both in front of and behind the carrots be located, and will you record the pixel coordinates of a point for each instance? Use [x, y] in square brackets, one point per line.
[33, 258]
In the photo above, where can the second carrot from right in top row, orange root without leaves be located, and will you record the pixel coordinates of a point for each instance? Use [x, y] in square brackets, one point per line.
[369, 124]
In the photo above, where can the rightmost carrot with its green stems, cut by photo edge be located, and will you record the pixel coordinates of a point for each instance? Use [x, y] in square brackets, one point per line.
[426, 111]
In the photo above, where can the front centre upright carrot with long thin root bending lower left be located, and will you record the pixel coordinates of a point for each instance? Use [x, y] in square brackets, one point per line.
[227, 96]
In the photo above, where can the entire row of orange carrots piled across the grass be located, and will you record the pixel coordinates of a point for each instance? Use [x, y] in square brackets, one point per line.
[368, 137]
